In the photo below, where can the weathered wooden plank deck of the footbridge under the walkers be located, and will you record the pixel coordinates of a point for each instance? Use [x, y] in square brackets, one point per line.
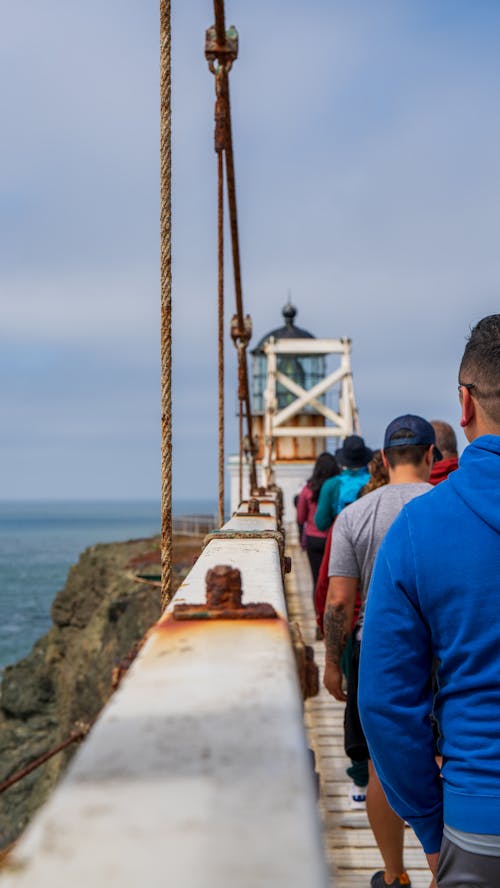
[351, 850]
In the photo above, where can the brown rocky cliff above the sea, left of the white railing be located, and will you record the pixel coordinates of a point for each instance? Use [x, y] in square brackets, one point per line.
[98, 617]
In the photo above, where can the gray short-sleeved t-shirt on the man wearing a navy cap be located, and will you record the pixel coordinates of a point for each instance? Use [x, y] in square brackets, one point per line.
[360, 529]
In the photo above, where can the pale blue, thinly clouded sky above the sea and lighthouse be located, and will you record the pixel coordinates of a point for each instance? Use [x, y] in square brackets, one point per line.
[367, 152]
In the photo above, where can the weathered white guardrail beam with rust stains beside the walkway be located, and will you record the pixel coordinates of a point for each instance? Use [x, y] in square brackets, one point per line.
[197, 774]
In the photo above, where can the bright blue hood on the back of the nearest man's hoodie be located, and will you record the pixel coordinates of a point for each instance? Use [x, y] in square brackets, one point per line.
[477, 481]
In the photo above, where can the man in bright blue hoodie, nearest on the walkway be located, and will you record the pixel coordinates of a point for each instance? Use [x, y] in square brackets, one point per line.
[432, 621]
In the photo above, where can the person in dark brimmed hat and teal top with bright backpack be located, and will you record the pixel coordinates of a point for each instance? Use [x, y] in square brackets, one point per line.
[336, 493]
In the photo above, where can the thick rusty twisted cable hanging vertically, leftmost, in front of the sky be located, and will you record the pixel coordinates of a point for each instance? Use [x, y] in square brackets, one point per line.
[166, 302]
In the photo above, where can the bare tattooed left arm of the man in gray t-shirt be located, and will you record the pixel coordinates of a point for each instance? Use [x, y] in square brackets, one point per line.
[337, 623]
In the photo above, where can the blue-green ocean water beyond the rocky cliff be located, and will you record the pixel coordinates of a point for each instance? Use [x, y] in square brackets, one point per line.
[39, 541]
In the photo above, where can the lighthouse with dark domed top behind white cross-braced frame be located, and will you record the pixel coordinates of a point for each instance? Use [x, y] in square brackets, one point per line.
[302, 404]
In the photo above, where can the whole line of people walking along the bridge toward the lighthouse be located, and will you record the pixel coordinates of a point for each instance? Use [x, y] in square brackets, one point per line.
[405, 576]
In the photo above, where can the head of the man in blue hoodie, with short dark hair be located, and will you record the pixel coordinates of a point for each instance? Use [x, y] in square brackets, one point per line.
[480, 365]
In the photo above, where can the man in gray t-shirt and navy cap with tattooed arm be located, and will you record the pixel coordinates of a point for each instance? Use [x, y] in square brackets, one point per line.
[409, 452]
